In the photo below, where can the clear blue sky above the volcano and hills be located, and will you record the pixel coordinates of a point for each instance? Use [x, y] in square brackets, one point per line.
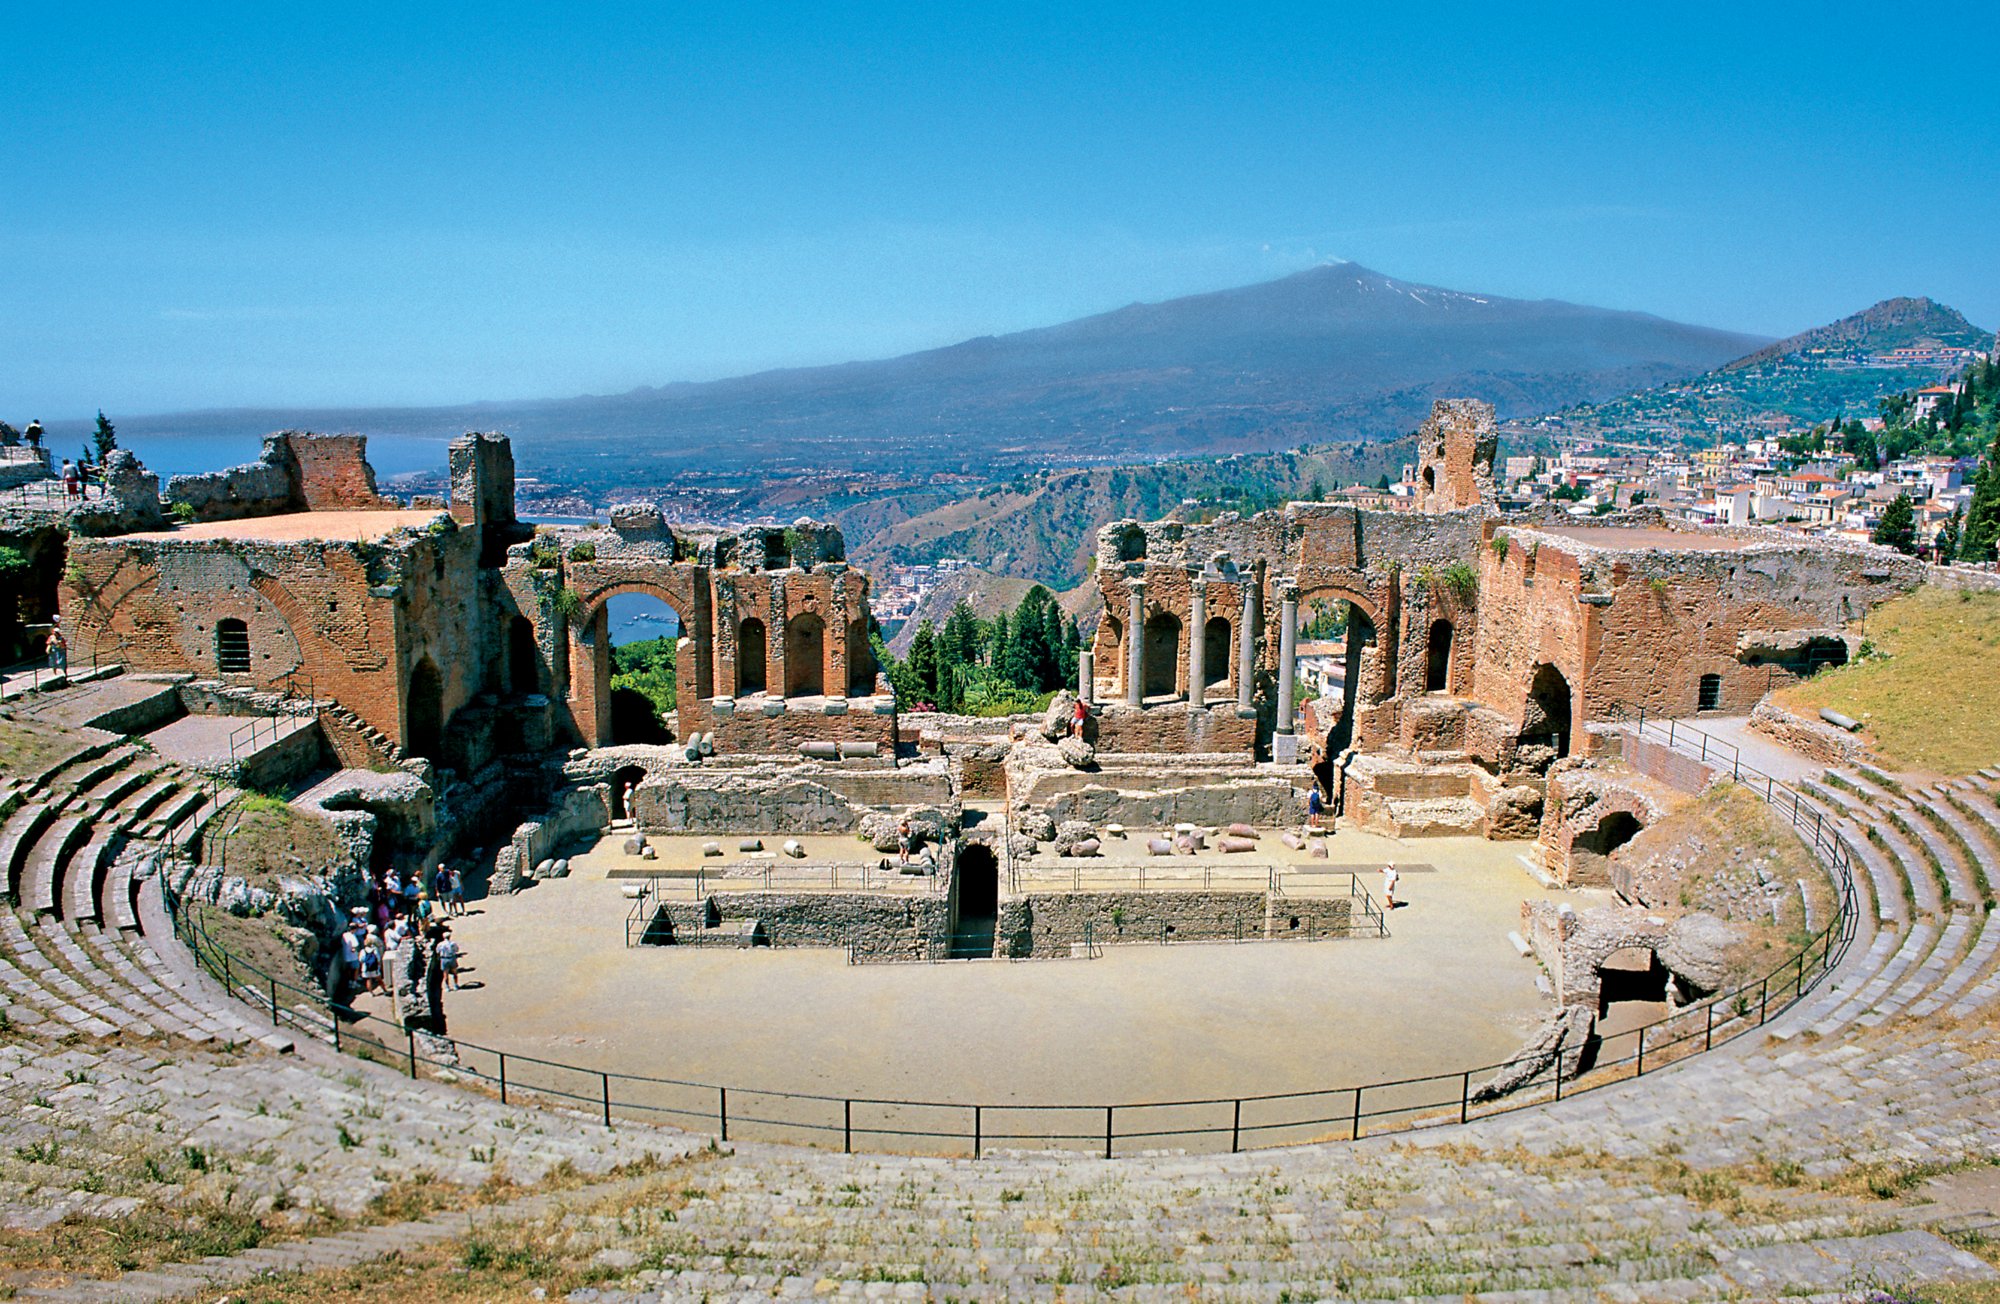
[259, 205]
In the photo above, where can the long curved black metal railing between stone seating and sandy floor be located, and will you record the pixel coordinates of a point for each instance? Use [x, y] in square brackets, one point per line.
[971, 1127]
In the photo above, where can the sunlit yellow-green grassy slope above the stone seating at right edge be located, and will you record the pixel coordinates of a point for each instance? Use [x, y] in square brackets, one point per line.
[1931, 703]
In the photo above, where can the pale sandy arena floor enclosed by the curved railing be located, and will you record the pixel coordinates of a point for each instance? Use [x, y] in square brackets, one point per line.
[551, 977]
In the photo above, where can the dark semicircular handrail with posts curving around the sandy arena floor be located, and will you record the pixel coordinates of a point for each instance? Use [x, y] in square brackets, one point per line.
[1711, 1023]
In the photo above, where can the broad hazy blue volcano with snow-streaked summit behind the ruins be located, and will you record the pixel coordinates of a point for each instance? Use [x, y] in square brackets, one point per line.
[1333, 353]
